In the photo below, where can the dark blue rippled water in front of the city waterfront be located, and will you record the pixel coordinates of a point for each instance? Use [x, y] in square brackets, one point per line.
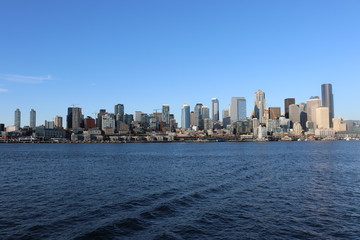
[280, 190]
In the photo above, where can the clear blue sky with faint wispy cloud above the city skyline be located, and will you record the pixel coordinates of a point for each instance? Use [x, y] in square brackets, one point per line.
[148, 53]
